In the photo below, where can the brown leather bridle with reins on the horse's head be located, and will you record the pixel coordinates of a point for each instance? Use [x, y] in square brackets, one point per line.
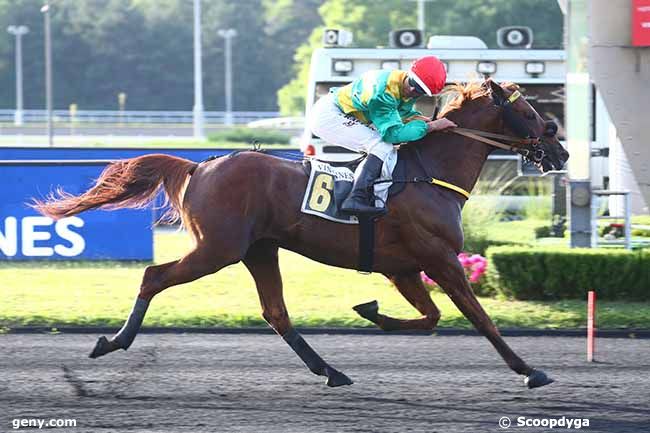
[517, 144]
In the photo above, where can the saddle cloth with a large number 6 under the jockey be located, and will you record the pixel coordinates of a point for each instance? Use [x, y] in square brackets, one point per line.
[329, 185]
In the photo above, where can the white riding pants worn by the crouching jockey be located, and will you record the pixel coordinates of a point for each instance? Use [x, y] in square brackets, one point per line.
[332, 125]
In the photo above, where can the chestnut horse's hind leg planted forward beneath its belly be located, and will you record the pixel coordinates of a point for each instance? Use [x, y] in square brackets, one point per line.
[262, 262]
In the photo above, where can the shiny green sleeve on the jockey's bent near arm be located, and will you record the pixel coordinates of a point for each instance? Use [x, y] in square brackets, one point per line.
[384, 114]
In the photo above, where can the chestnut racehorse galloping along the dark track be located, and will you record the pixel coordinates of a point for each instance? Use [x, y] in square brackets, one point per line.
[245, 206]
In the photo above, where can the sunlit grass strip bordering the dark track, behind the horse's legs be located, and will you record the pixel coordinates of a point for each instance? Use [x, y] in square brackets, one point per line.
[101, 294]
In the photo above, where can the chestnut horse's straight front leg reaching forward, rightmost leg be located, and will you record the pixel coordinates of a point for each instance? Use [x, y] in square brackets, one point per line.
[447, 271]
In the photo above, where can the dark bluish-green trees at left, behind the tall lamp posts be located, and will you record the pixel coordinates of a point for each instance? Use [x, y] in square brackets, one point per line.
[145, 49]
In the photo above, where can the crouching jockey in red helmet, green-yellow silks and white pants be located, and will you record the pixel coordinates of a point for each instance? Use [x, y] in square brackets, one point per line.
[385, 99]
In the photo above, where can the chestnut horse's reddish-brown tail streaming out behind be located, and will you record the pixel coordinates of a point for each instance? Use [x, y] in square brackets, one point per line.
[130, 183]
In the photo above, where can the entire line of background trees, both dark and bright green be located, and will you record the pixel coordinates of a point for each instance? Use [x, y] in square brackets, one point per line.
[144, 47]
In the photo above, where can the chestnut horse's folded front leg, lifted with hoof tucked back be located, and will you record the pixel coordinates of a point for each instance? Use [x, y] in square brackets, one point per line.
[411, 287]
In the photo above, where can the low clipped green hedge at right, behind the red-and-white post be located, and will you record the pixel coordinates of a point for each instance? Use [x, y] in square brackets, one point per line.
[563, 273]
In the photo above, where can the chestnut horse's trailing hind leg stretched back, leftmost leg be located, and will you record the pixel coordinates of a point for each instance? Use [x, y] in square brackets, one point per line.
[196, 264]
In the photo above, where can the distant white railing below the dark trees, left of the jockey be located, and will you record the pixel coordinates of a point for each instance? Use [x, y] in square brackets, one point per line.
[114, 116]
